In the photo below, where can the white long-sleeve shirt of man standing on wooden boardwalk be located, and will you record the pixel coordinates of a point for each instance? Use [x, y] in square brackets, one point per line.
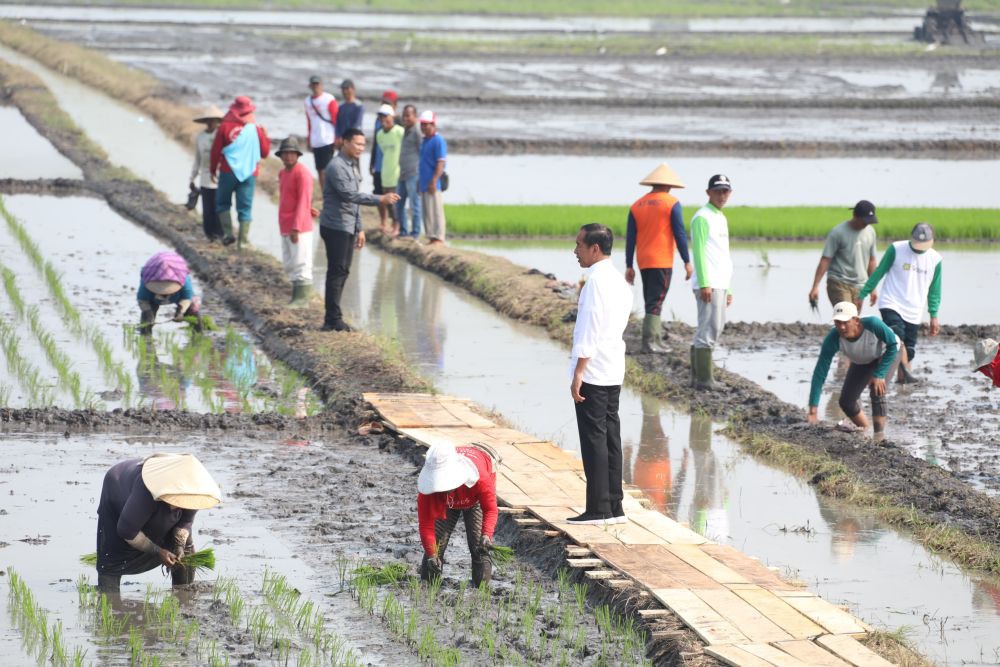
[601, 318]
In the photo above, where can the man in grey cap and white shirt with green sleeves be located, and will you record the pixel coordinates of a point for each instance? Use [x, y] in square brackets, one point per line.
[912, 272]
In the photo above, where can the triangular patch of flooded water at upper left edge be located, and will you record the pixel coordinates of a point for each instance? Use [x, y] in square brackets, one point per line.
[27, 154]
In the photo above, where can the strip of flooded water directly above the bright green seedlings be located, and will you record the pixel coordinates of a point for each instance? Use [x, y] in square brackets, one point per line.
[528, 179]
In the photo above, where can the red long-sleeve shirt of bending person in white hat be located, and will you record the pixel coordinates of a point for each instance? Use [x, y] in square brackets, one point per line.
[434, 506]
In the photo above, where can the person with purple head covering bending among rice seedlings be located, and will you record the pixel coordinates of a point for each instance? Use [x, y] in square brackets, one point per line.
[165, 279]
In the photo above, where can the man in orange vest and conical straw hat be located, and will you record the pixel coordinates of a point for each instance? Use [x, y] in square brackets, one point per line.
[655, 229]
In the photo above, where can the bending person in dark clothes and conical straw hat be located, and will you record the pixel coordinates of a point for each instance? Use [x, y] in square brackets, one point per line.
[146, 514]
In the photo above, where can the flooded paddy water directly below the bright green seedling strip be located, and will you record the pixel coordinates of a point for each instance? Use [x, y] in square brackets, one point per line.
[775, 293]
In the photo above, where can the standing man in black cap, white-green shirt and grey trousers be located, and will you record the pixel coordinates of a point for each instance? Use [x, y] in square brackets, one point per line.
[713, 276]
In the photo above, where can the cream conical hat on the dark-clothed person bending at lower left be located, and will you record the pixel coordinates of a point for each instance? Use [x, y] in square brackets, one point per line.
[180, 480]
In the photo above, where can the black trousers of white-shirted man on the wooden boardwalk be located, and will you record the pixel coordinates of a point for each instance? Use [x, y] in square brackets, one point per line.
[601, 446]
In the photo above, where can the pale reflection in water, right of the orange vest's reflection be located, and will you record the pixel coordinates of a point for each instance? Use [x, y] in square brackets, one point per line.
[710, 516]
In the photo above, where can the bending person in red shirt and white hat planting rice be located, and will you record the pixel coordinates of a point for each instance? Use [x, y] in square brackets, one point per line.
[457, 482]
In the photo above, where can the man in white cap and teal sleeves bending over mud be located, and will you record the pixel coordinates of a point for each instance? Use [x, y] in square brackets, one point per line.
[871, 347]
